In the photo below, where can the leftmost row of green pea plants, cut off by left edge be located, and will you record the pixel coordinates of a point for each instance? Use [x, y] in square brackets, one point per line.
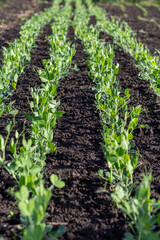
[17, 56]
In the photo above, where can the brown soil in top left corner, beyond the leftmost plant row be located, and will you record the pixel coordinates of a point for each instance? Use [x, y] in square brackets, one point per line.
[12, 15]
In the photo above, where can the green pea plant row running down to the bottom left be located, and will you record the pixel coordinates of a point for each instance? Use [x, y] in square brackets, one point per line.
[27, 163]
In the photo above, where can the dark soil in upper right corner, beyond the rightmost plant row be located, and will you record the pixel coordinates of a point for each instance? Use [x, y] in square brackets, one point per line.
[147, 32]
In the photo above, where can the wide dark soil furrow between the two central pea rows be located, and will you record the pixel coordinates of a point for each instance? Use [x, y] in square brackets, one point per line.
[86, 213]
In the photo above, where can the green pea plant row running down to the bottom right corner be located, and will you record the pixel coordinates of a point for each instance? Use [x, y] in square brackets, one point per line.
[118, 124]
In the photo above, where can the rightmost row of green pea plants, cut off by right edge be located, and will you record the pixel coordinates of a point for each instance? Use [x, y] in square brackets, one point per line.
[124, 36]
